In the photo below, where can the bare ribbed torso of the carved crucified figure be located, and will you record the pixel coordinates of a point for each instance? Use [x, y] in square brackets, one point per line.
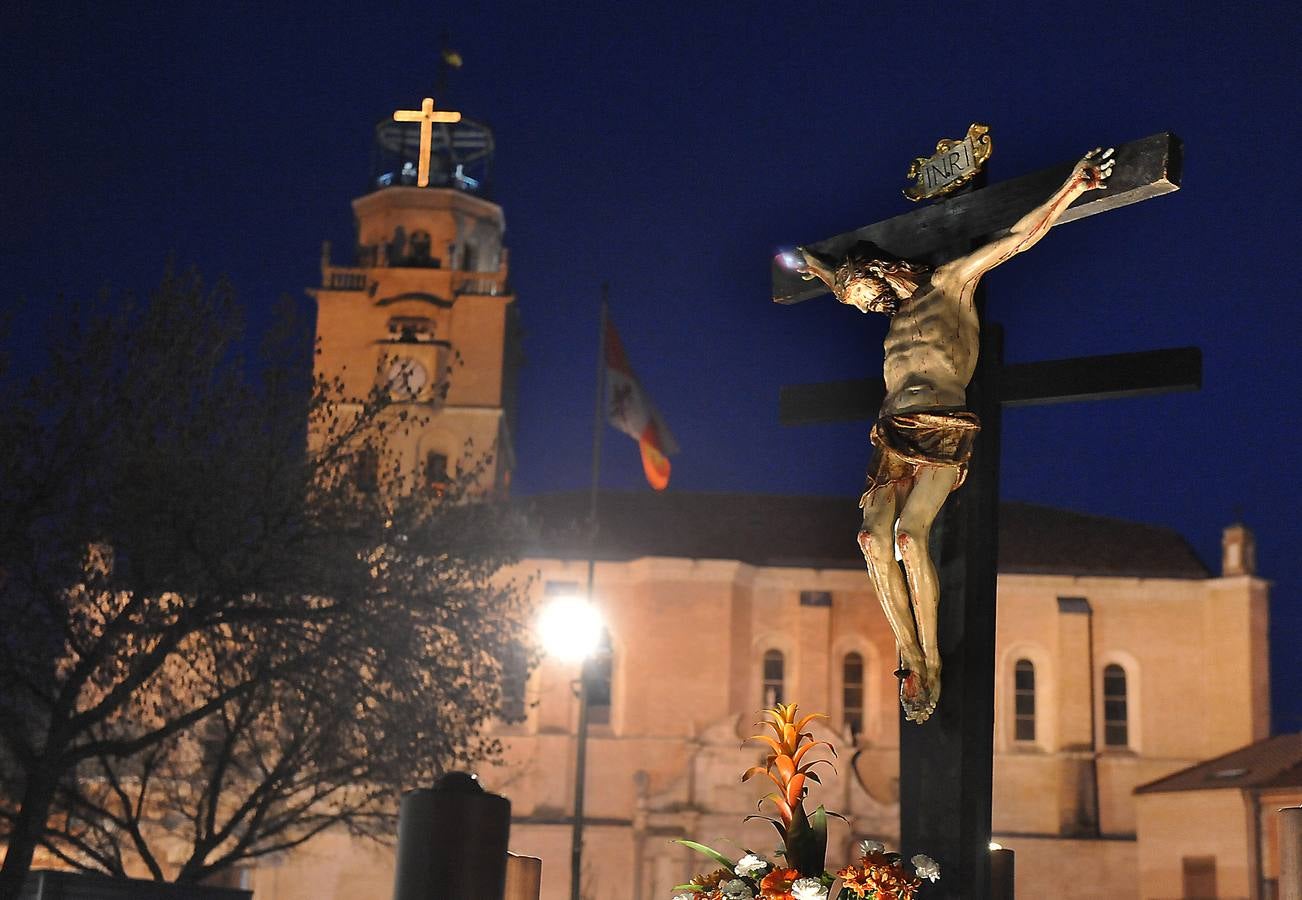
[932, 348]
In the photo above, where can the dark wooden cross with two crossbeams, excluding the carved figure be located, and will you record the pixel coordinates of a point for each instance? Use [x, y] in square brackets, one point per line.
[946, 764]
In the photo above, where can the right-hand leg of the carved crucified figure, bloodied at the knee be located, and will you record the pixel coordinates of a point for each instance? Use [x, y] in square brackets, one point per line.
[930, 489]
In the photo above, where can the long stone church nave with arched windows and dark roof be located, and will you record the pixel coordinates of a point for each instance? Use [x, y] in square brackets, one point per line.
[1120, 660]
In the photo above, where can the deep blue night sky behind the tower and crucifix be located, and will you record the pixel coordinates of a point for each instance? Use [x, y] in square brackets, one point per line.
[671, 150]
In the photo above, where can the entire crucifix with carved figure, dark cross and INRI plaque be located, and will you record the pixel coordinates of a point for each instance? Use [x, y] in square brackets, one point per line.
[939, 425]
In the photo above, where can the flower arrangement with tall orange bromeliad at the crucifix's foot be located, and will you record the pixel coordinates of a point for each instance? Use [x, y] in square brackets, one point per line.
[803, 875]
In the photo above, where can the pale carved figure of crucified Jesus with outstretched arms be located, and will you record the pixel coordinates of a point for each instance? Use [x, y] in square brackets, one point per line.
[924, 436]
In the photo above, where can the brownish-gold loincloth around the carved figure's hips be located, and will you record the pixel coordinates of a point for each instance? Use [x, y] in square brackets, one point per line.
[911, 441]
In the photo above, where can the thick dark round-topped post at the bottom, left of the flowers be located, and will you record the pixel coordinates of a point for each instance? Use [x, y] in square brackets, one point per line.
[452, 842]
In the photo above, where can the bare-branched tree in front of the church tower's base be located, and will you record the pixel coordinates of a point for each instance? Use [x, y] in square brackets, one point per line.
[225, 643]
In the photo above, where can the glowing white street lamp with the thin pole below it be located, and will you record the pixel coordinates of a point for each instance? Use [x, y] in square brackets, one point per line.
[571, 628]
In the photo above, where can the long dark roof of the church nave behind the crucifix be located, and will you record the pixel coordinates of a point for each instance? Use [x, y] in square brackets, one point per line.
[818, 532]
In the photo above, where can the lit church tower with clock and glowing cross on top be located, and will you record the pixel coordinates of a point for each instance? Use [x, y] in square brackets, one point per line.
[426, 311]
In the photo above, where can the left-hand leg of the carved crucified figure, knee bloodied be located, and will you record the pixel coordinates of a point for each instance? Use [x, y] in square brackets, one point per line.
[877, 541]
